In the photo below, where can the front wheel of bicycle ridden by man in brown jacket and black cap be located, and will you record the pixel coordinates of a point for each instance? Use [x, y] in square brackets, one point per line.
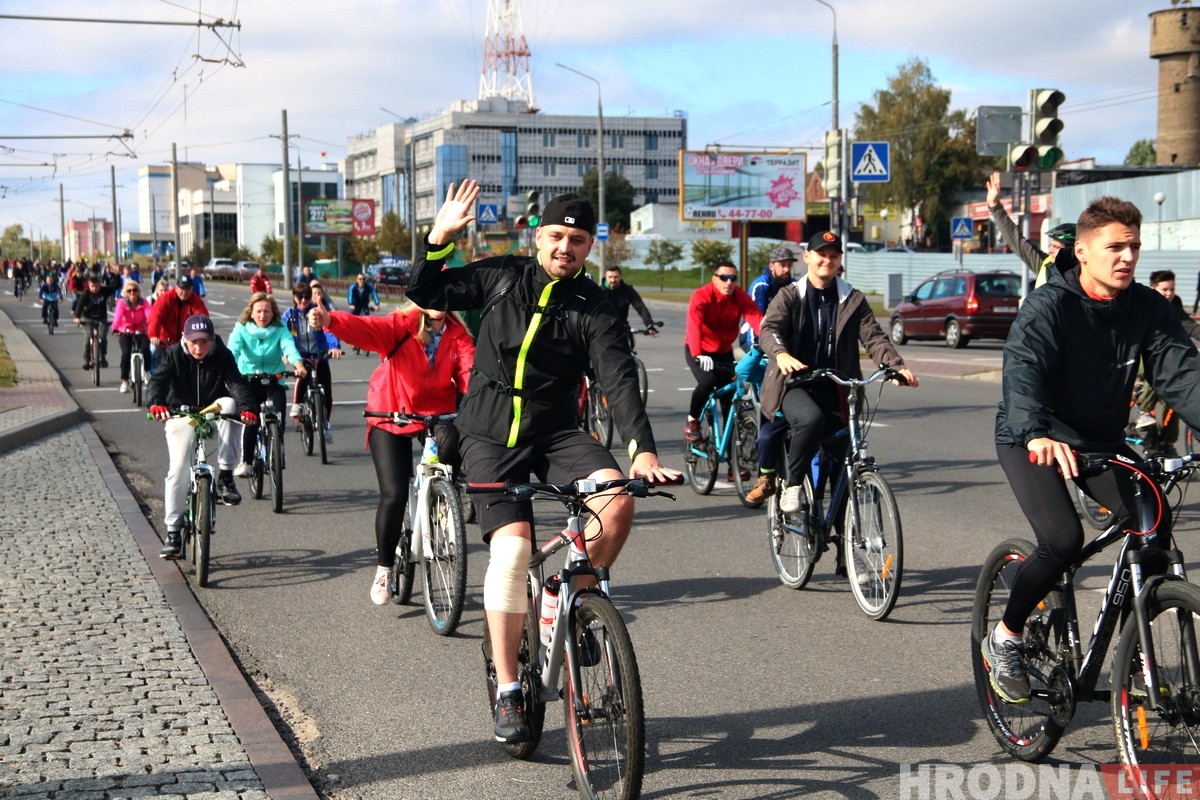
[875, 546]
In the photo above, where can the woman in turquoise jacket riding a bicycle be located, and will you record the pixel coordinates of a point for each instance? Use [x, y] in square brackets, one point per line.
[261, 344]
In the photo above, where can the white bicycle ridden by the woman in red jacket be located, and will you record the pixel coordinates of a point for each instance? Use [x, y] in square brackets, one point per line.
[435, 533]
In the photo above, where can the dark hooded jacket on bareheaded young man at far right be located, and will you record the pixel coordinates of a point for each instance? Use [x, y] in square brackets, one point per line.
[1071, 363]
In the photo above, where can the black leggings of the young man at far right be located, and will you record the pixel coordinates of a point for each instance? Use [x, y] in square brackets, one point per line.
[1047, 502]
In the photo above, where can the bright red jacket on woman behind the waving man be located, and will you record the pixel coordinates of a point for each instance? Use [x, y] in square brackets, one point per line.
[404, 381]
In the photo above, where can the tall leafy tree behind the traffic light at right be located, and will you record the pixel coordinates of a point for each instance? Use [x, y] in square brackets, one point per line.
[932, 147]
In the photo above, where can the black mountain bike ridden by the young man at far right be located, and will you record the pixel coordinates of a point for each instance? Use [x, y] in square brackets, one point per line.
[1156, 665]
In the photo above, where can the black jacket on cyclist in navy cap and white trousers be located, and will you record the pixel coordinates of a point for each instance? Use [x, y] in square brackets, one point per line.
[179, 380]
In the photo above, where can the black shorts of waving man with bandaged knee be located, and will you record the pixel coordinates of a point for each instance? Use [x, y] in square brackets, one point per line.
[560, 459]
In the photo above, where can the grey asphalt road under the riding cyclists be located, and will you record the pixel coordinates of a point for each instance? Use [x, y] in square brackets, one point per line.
[752, 690]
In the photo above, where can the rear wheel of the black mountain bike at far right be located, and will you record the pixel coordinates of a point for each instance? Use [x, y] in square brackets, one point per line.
[1027, 731]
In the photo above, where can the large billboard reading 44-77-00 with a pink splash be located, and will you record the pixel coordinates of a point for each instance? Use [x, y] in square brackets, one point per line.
[742, 187]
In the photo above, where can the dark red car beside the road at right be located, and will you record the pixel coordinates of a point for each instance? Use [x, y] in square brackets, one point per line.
[958, 306]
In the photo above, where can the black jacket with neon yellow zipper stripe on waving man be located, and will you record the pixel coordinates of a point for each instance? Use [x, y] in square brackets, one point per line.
[536, 340]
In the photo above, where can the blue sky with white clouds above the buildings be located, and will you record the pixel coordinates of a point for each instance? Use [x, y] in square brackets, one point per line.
[752, 75]
